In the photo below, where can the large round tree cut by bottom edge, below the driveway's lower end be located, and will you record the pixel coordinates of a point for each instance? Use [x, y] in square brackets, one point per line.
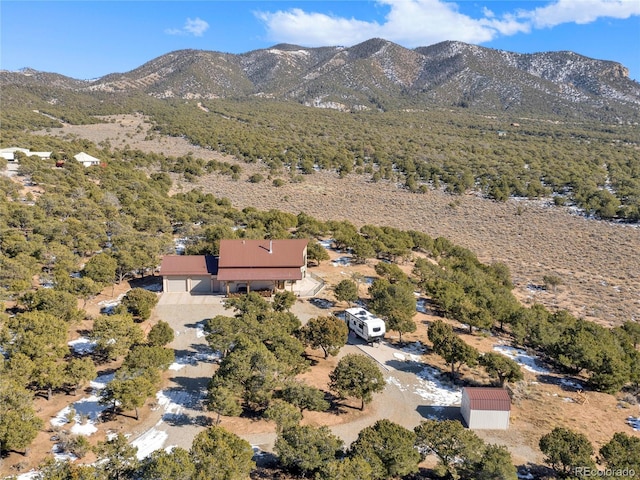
[220, 455]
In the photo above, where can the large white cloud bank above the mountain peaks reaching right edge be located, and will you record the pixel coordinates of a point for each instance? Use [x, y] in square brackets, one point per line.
[415, 23]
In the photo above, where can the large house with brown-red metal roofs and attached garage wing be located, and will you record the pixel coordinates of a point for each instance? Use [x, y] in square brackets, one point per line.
[242, 266]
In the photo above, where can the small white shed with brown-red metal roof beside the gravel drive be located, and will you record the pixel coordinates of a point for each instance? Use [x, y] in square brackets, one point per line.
[485, 408]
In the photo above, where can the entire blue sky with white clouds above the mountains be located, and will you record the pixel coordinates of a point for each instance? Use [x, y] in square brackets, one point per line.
[89, 39]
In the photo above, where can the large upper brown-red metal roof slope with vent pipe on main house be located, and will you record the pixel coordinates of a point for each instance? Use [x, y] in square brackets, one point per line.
[262, 253]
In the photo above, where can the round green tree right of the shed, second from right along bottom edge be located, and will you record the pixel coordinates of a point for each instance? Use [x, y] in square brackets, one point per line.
[565, 450]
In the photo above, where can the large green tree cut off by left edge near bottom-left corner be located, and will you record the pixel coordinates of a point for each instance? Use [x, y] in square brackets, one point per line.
[19, 424]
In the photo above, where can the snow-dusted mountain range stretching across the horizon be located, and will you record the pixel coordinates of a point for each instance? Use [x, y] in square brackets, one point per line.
[378, 74]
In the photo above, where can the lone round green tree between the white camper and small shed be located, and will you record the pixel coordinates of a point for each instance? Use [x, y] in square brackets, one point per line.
[357, 376]
